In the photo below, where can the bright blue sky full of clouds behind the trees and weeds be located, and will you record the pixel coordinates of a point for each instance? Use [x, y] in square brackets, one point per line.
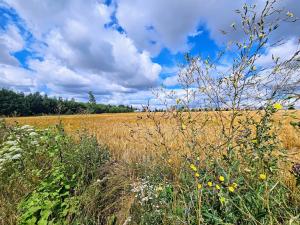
[118, 49]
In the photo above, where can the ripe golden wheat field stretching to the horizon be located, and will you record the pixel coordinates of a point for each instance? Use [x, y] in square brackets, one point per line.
[115, 131]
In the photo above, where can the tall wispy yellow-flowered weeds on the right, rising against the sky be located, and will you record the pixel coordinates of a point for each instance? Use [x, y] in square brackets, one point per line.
[238, 173]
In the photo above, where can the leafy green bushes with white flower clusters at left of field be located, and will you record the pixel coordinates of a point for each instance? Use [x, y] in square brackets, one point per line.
[45, 173]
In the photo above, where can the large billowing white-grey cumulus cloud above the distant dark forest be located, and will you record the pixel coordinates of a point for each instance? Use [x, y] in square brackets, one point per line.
[80, 53]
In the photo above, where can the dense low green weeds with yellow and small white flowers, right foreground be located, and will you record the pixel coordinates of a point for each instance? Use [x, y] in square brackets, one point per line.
[244, 185]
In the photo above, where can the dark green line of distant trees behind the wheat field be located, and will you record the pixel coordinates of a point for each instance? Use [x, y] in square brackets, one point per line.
[19, 104]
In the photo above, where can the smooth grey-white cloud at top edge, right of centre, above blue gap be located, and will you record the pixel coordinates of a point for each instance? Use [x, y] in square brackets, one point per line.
[156, 24]
